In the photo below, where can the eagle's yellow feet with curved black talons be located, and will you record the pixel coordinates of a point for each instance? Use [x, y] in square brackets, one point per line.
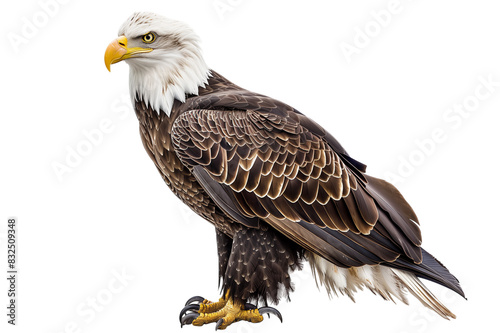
[224, 312]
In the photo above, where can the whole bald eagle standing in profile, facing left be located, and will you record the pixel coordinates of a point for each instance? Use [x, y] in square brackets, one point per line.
[278, 188]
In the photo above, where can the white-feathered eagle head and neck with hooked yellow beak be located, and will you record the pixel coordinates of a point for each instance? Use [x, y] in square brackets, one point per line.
[164, 57]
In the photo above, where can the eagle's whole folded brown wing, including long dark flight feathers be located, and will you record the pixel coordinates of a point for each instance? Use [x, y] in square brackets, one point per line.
[283, 168]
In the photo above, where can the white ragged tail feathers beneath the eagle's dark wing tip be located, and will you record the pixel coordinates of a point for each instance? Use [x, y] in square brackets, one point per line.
[384, 281]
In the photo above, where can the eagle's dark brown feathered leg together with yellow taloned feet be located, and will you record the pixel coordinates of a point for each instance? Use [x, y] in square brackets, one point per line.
[254, 265]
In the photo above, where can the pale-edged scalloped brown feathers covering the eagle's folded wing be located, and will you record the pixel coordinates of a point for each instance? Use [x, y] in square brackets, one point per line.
[307, 183]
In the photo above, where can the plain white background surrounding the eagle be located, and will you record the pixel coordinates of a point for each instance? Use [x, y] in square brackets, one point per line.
[111, 213]
